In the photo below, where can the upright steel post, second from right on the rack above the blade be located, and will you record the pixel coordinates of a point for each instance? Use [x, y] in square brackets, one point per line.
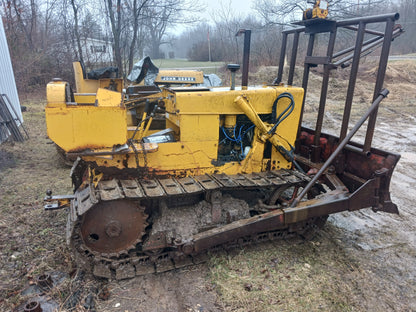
[353, 79]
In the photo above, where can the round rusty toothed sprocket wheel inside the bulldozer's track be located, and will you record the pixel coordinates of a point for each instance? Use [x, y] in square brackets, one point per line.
[112, 228]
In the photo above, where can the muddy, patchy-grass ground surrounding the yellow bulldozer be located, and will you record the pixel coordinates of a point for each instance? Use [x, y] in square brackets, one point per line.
[360, 261]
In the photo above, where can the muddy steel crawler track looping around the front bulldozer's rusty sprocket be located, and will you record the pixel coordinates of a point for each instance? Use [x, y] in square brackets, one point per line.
[134, 261]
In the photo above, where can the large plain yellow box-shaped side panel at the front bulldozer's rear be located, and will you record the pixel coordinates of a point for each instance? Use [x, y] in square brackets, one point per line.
[75, 128]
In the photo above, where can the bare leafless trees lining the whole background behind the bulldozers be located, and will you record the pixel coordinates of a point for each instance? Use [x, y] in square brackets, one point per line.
[45, 36]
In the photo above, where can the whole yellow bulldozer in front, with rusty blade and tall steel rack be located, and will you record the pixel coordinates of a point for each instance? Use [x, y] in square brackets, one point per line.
[164, 175]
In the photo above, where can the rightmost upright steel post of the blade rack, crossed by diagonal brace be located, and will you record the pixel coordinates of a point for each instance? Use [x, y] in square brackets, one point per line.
[384, 57]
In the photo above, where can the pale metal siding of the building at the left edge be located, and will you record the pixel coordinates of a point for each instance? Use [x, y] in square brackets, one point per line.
[7, 81]
